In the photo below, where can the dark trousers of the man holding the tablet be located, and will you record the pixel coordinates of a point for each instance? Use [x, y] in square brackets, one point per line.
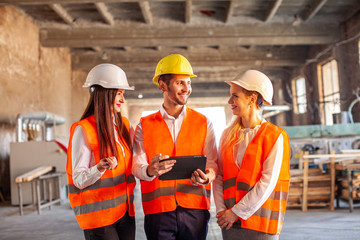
[181, 224]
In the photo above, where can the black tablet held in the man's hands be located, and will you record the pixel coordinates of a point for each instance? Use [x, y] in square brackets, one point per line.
[184, 167]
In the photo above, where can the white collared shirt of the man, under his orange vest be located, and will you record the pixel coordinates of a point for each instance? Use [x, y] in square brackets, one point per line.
[140, 161]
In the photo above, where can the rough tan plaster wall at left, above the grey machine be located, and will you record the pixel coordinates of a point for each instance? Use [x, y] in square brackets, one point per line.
[32, 78]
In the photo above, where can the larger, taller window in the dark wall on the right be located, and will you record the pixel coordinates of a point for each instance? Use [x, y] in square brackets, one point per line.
[330, 90]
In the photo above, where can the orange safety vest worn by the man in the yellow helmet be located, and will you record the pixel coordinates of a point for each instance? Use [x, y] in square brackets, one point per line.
[163, 196]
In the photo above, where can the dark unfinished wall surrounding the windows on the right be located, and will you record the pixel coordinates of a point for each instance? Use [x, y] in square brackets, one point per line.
[346, 53]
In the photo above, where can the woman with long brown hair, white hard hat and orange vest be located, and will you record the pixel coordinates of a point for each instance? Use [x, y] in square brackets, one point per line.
[101, 185]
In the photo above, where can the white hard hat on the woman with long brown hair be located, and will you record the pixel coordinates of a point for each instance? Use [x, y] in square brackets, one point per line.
[108, 76]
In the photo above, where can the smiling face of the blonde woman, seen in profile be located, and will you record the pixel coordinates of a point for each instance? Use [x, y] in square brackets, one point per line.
[239, 101]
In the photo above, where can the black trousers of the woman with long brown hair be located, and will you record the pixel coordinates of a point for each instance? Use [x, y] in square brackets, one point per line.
[122, 229]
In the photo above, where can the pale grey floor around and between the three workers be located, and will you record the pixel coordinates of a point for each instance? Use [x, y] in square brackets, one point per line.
[60, 224]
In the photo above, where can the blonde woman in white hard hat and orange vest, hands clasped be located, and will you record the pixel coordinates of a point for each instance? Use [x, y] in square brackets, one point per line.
[251, 188]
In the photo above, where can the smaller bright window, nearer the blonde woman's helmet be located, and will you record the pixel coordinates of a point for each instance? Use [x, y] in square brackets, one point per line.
[299, 92]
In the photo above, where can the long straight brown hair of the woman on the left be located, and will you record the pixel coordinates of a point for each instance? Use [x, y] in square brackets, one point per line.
[101, 106]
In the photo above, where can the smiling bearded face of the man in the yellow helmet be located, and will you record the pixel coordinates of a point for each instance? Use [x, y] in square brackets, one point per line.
[178, 90]
